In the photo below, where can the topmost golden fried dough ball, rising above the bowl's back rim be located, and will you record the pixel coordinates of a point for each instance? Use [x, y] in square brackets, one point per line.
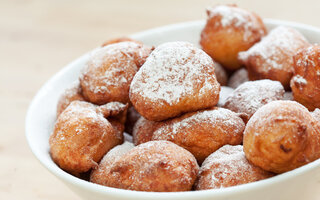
[228, 31]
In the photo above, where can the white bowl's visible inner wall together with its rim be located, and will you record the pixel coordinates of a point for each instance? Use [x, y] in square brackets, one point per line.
[42, 111]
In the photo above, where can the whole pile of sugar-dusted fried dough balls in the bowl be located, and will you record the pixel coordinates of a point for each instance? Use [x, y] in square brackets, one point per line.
[241, 109]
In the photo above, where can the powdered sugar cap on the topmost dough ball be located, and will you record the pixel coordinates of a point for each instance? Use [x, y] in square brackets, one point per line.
[232, 16]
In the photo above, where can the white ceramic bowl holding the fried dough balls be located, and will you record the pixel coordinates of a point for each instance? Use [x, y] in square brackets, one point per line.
[300, 183]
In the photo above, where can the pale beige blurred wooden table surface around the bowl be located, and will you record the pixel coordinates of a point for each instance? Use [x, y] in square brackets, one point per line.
[38, 38]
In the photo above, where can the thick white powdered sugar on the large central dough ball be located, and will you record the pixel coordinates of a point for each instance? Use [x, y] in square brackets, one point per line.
[181, 66]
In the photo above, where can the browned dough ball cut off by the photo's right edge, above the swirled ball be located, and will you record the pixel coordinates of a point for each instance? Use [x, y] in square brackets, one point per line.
[305, 84]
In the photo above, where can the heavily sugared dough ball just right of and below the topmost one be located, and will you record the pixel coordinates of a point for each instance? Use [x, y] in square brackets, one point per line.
[271, 58]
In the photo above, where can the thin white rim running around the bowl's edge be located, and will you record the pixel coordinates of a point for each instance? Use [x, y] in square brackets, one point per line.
[116, 192]
